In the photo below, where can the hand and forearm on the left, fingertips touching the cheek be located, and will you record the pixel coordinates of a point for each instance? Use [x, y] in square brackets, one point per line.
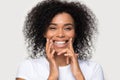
[50, 56]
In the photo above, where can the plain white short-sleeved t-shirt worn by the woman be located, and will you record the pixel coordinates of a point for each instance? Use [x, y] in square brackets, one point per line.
[38, 69]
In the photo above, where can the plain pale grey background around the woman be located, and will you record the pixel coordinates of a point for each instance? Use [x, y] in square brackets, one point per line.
[13, 50]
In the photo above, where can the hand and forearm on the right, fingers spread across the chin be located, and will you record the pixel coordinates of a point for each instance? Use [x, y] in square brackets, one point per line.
[72, 58]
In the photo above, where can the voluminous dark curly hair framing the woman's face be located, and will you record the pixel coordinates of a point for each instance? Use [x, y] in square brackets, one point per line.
[39, 18]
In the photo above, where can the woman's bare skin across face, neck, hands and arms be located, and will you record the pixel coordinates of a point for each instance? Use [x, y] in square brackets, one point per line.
[61, 28]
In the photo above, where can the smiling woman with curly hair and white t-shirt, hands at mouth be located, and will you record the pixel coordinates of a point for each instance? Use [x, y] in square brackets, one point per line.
[59, 35]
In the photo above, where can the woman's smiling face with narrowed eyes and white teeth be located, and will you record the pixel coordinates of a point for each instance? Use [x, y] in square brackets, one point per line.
[60, 31]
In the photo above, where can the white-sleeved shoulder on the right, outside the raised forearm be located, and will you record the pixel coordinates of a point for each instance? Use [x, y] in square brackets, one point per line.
[91, 70]
